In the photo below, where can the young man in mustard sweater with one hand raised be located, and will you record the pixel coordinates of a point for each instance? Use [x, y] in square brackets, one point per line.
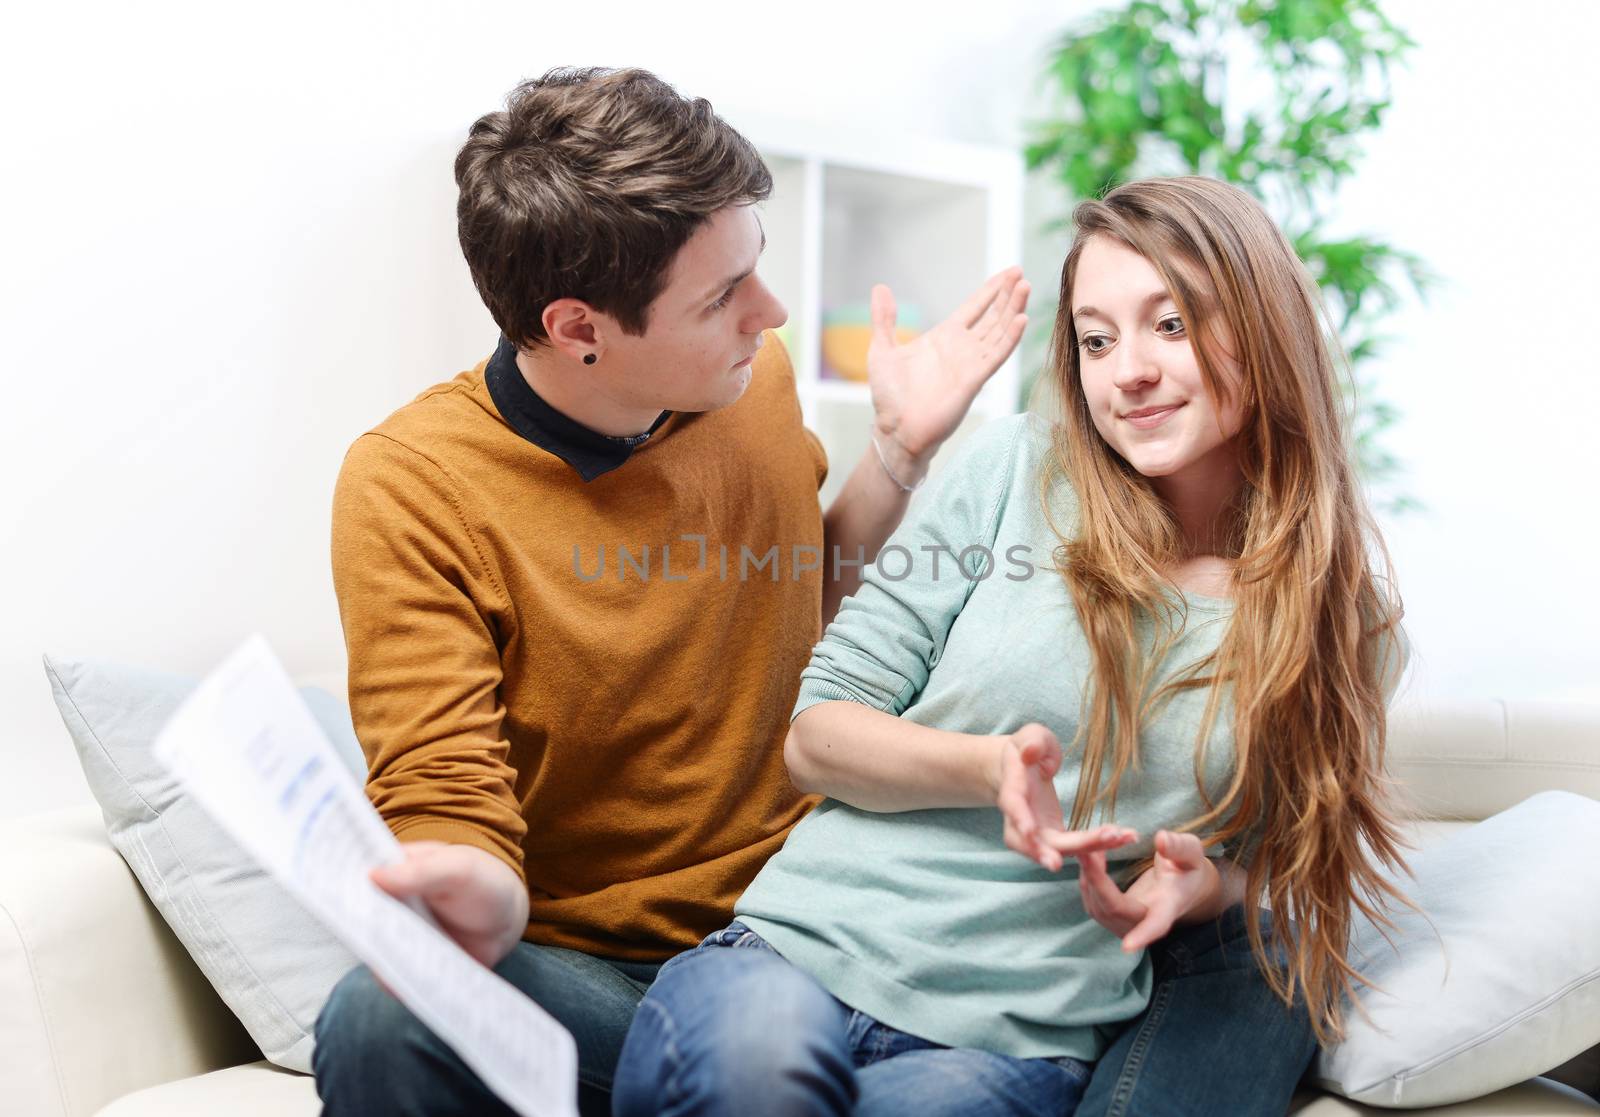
[578, 583]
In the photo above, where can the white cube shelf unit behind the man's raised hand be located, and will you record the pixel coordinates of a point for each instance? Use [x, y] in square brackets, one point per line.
[934, 220]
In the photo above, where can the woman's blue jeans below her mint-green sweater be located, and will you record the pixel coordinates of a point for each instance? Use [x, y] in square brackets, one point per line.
[730, 1030]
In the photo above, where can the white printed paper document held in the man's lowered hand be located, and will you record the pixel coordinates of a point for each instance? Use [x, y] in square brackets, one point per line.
[250, 753]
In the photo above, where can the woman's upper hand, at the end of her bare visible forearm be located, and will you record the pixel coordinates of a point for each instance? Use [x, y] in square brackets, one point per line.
[1025, 785]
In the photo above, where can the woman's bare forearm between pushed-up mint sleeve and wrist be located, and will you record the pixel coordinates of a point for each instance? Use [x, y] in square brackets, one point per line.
[881, 763]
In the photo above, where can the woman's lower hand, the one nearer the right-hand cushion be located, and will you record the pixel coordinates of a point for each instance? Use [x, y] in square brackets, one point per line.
[1183, 881]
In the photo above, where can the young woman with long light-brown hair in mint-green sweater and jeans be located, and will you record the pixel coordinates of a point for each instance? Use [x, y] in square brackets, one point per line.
[1177, 580]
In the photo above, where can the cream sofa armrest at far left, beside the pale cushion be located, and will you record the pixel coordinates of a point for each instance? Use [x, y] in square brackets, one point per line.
[97, 996]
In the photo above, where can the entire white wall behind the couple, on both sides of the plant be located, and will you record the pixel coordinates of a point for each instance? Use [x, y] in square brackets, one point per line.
[228, 250]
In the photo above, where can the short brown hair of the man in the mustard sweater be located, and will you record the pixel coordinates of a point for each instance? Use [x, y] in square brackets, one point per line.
[586, 186]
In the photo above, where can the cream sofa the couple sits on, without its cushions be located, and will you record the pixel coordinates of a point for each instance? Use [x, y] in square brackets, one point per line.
[102, 1012]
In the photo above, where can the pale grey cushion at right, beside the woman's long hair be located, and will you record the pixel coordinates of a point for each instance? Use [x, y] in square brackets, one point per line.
[1508, 990]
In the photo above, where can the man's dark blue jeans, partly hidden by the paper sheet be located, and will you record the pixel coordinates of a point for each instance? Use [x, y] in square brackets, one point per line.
[374, 1057]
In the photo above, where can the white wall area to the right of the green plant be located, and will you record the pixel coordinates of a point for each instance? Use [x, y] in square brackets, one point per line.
[1487, 169]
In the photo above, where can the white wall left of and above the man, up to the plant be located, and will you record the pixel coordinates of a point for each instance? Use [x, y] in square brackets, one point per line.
[230, 249]
